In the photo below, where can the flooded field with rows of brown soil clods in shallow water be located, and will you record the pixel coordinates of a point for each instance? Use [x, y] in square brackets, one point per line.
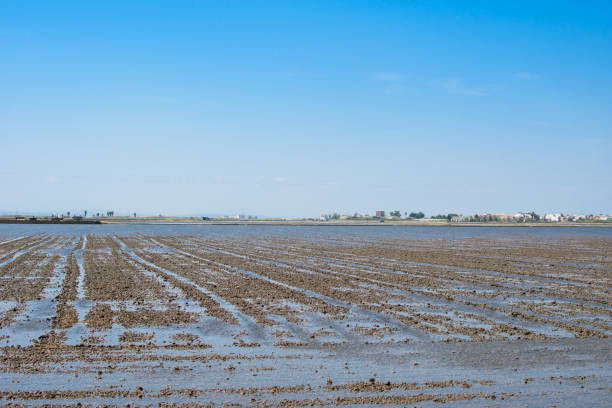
[298, 316]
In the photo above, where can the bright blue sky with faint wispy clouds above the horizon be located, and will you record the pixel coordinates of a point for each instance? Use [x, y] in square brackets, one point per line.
[299, 108]
